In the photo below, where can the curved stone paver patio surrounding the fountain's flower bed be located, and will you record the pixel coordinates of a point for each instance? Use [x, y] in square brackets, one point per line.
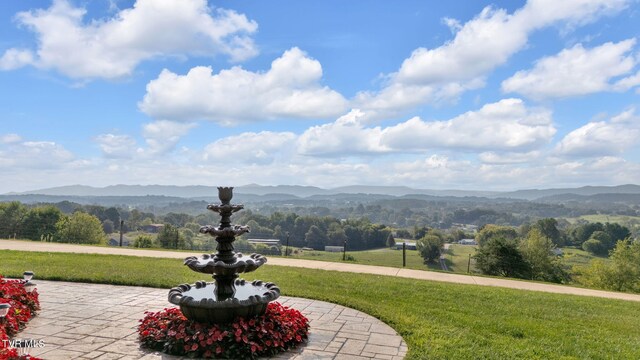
[91, 321]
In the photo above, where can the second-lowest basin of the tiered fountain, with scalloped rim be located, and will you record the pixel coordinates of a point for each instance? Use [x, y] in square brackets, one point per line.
[210, 264]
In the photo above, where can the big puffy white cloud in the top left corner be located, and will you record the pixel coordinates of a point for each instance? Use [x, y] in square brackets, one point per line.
[112, 48]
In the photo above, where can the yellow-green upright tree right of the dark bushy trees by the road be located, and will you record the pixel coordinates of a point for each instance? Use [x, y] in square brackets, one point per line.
[537, 251]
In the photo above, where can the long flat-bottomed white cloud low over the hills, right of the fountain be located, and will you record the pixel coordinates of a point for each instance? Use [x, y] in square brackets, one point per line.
[507, 125]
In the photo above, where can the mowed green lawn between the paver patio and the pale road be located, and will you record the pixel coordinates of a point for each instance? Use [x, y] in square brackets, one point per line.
[437, 320]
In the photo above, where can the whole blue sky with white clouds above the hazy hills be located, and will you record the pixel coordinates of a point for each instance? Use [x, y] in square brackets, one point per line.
[445, 95]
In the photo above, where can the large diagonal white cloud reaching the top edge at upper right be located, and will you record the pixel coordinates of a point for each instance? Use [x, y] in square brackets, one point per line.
[479, 46]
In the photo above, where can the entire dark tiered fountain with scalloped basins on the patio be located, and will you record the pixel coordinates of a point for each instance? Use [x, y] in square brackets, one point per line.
[229, 296]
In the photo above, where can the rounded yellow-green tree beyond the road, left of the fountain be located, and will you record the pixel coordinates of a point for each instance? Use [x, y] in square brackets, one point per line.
[80, 228]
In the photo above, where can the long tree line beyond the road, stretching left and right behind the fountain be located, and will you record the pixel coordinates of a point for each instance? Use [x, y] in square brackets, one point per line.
[62, 222]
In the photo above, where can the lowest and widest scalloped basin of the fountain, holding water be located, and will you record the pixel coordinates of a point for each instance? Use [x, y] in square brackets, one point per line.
[198, 302]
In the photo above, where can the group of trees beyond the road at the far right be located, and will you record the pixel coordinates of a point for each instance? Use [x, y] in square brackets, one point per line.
[527, 252]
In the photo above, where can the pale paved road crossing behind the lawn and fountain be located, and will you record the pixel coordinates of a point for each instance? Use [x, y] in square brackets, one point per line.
[335, 266]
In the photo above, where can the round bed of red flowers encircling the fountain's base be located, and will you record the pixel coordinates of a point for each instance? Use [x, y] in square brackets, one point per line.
[278, 330]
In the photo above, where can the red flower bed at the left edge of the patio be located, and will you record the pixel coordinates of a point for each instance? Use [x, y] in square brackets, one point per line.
[23, 308]
